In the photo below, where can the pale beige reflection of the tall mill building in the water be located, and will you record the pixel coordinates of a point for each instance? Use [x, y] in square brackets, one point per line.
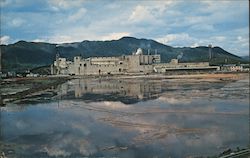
[139, 89]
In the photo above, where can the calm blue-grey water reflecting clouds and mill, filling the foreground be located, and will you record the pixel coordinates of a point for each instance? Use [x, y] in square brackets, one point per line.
[130, 118]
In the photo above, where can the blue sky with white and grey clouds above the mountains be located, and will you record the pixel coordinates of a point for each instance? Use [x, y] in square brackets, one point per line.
[175, 23]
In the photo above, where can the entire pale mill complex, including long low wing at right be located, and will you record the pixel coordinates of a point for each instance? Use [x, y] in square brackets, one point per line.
[126, 64]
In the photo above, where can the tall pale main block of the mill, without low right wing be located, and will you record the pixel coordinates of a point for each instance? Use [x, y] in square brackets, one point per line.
[135, 63]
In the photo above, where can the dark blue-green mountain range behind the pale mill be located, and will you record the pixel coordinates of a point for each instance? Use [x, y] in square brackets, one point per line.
[24, 55]
